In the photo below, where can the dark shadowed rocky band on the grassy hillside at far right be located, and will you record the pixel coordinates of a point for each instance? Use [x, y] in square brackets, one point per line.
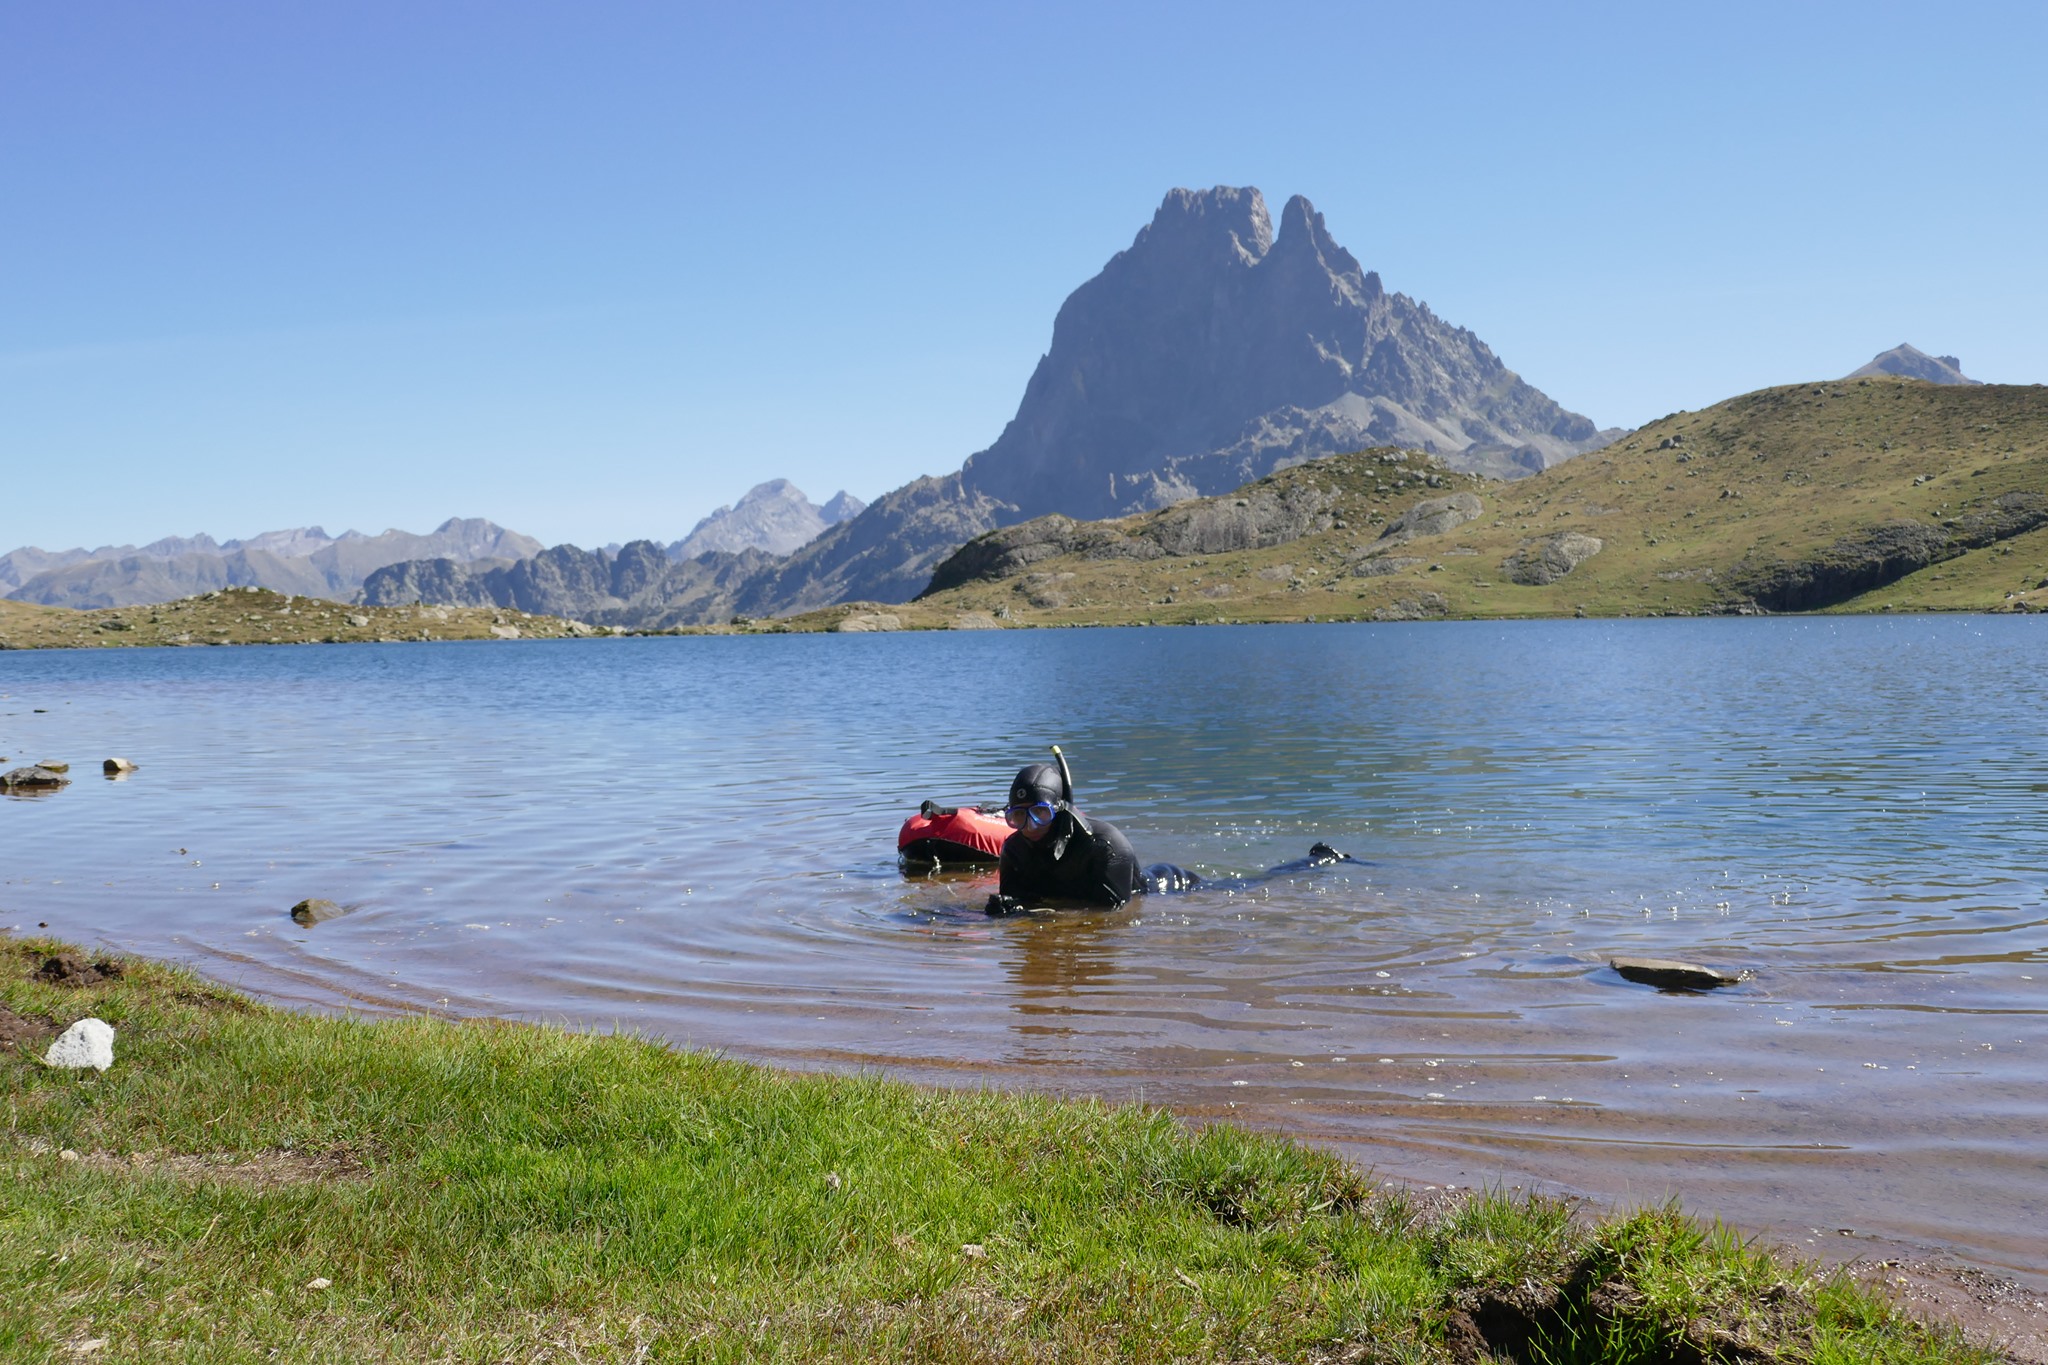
[1881, 556]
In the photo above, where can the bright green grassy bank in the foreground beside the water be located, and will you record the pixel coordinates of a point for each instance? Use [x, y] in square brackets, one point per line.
[249, 1184]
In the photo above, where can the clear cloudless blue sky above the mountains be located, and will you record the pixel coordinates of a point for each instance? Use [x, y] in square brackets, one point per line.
[595, 269]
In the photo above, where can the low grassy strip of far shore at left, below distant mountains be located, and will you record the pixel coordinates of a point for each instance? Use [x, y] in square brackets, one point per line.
[261, 617]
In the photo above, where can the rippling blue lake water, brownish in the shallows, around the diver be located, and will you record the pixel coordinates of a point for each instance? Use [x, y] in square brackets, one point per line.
[695, 838]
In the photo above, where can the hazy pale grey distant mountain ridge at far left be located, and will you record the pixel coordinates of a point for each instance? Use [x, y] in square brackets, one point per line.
[302, 562]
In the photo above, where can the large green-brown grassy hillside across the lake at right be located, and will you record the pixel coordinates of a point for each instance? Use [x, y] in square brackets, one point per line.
[1797, 498]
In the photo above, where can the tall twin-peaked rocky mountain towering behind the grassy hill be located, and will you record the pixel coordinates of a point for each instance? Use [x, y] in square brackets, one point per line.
[1211, 353]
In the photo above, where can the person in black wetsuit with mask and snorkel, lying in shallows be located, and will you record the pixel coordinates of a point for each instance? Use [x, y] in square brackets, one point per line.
[1058, 854]
